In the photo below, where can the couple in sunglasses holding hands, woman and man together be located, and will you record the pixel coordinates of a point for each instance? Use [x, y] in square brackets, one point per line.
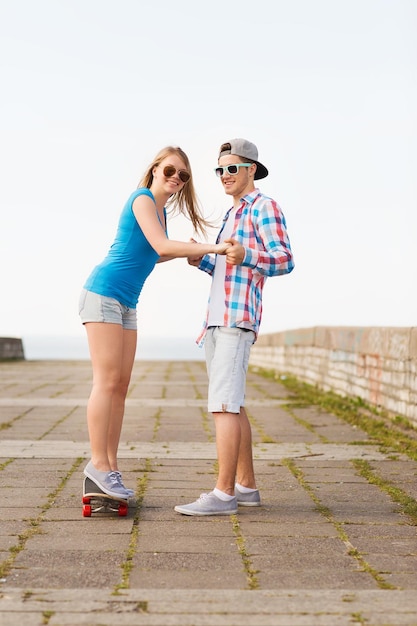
[252, 244]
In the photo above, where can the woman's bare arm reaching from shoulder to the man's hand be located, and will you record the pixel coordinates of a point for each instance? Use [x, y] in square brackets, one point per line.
[146, 215]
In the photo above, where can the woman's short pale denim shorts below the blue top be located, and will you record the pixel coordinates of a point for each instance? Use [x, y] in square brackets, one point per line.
[96, 308]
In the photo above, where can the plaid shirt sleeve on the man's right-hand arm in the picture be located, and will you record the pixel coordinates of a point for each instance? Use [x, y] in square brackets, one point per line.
[270, 251]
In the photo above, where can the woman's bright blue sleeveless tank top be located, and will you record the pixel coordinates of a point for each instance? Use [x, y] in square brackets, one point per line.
[130, 260]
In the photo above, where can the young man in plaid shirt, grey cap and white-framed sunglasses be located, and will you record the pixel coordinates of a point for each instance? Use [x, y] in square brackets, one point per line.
[255, 228]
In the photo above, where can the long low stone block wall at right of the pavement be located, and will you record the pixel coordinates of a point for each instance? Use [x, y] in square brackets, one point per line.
[378, 365]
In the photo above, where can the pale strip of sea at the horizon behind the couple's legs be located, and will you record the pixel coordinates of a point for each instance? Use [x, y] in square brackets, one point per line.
[75, 348]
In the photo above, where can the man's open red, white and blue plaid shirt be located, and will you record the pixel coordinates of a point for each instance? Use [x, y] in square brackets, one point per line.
[260, 227]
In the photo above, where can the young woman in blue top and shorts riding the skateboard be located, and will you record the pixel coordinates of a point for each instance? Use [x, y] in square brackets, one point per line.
[110, 295]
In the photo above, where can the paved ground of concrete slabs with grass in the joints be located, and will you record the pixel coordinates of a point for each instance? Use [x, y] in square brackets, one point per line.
[330, 545]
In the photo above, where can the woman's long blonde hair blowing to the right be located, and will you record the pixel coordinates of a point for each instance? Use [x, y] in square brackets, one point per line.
[185, 200]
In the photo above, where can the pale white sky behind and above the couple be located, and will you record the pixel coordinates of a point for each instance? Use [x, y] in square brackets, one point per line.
[91, 90]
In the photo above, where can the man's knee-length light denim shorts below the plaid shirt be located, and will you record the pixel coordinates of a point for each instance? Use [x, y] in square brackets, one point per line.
[227, 360]
